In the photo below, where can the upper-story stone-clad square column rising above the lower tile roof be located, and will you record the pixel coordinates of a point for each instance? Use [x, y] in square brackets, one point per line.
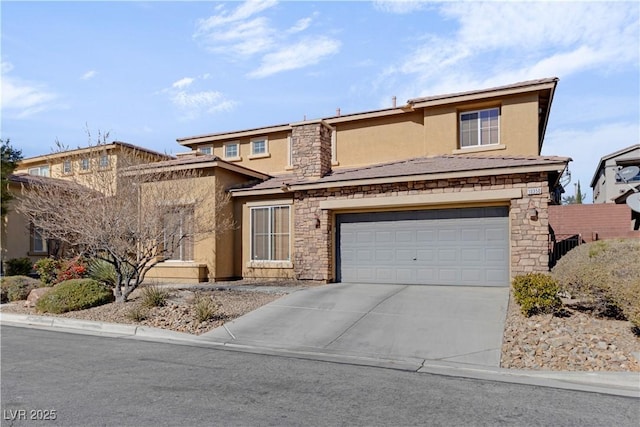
[311, 149]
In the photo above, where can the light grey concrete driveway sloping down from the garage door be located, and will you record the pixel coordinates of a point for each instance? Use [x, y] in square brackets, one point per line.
[396, 322]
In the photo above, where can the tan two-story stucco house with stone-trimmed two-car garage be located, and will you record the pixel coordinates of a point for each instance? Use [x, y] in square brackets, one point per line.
[447, 190]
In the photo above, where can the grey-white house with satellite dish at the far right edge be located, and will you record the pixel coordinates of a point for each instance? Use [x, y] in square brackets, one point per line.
[606, 183]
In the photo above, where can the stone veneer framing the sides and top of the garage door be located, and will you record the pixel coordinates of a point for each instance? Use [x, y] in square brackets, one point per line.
[313, 244]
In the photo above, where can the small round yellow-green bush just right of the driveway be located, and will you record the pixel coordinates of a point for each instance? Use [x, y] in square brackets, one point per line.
[536, 293]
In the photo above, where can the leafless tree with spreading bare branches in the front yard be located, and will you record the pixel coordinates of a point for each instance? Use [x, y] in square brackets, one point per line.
[132, 216]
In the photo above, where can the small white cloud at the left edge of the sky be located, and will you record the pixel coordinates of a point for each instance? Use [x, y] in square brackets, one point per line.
[22, 99]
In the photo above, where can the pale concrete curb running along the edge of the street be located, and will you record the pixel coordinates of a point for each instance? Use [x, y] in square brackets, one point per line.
[625, 384]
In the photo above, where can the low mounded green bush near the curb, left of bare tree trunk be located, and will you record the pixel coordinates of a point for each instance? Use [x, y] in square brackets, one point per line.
[76, 294]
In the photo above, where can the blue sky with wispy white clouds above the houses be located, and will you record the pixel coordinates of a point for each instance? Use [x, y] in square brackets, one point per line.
[151, 72]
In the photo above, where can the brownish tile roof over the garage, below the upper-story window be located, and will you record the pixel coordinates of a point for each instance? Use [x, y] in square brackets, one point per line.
[413, 167]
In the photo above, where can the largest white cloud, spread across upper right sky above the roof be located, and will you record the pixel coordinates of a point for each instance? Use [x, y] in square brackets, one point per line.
[498, 43]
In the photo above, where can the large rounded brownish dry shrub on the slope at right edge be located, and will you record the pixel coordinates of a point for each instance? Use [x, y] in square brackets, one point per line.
[604, 276]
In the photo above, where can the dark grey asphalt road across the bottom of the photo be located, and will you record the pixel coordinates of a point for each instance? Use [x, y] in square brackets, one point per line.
[84, 380]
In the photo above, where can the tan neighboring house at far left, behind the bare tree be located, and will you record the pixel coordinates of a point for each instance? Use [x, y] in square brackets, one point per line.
[19, 237]
